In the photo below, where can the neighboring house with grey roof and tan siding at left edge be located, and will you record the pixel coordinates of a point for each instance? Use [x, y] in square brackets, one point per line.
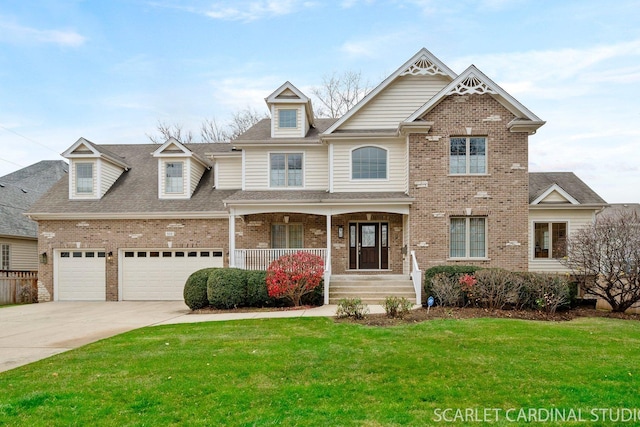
[18, 191]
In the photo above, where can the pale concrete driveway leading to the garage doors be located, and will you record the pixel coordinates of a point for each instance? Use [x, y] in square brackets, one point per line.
[35, 331]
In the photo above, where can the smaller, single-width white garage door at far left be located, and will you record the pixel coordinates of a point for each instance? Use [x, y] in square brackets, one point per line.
[80, 275]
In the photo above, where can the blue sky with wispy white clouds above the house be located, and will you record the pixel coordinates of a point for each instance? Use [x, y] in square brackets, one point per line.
[110, 70]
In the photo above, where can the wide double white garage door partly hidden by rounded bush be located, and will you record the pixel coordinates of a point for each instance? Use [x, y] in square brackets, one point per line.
[160, 274]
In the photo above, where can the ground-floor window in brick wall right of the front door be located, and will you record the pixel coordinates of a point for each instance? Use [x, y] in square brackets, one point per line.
[468, 237]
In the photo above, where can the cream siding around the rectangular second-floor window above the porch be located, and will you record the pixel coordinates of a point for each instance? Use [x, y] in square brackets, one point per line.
[315, 167]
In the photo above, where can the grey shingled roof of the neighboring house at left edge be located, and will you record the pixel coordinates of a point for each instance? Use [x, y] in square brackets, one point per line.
[20, 189]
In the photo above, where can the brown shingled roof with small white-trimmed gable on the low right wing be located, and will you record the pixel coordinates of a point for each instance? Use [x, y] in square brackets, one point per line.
[567, 184]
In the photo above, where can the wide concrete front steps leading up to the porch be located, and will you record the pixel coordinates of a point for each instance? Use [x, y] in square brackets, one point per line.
[371, 289]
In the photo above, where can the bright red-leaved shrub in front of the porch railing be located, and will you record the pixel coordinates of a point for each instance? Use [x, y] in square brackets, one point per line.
[292, 276]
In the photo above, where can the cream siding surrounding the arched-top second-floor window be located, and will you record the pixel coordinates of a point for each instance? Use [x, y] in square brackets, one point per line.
[396, 167]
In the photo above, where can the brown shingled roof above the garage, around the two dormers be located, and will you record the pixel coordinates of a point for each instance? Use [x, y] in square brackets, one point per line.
[135, 192]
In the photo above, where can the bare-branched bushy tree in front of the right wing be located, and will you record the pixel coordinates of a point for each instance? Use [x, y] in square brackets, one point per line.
[606, 256]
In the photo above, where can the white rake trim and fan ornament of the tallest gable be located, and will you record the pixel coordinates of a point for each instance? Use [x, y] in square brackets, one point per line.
[422, 63]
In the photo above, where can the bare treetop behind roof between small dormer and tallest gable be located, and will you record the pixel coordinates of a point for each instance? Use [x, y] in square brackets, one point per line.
[339, 93]
